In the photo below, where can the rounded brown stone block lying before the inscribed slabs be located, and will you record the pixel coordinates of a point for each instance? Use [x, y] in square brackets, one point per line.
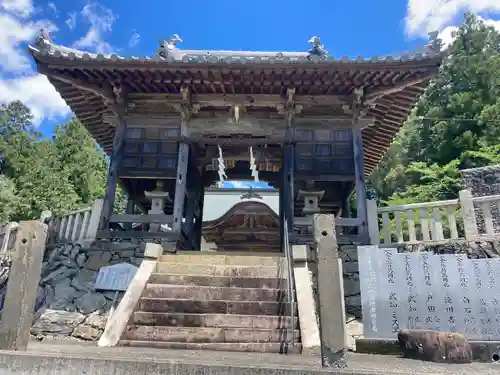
[426, 345]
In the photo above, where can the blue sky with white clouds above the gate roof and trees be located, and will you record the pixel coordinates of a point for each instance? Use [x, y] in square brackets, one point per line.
[347, 28]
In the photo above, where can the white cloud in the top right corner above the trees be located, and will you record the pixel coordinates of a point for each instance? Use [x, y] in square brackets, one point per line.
[424, 16]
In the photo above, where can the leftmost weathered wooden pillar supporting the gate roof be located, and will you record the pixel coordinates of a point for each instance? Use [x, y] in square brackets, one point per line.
[114, 163]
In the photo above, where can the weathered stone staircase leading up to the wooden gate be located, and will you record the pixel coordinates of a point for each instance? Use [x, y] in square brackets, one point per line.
[216, 301]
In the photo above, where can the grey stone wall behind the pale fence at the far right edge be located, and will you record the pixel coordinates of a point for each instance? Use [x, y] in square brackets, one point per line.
[482, 182]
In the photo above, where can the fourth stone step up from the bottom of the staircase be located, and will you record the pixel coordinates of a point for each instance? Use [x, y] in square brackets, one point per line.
[167, 305]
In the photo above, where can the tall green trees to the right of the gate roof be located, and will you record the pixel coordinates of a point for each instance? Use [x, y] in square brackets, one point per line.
[455, 125]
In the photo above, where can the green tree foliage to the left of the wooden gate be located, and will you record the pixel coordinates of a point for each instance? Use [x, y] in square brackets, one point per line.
[60, 174]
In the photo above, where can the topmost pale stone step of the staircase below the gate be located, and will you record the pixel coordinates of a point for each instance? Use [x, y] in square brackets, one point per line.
[234, 259]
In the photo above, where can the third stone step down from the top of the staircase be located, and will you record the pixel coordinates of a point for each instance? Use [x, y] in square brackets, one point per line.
[221, 281]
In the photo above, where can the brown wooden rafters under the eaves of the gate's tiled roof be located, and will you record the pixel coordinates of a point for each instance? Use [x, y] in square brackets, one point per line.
[395, 91]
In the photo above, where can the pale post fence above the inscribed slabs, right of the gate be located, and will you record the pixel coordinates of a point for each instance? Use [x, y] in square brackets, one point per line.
[438, 221]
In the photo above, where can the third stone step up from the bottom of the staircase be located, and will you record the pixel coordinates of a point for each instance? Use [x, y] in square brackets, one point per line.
[212, 320]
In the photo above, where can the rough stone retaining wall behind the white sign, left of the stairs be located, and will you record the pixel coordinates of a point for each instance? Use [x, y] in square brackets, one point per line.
[67, 306]
